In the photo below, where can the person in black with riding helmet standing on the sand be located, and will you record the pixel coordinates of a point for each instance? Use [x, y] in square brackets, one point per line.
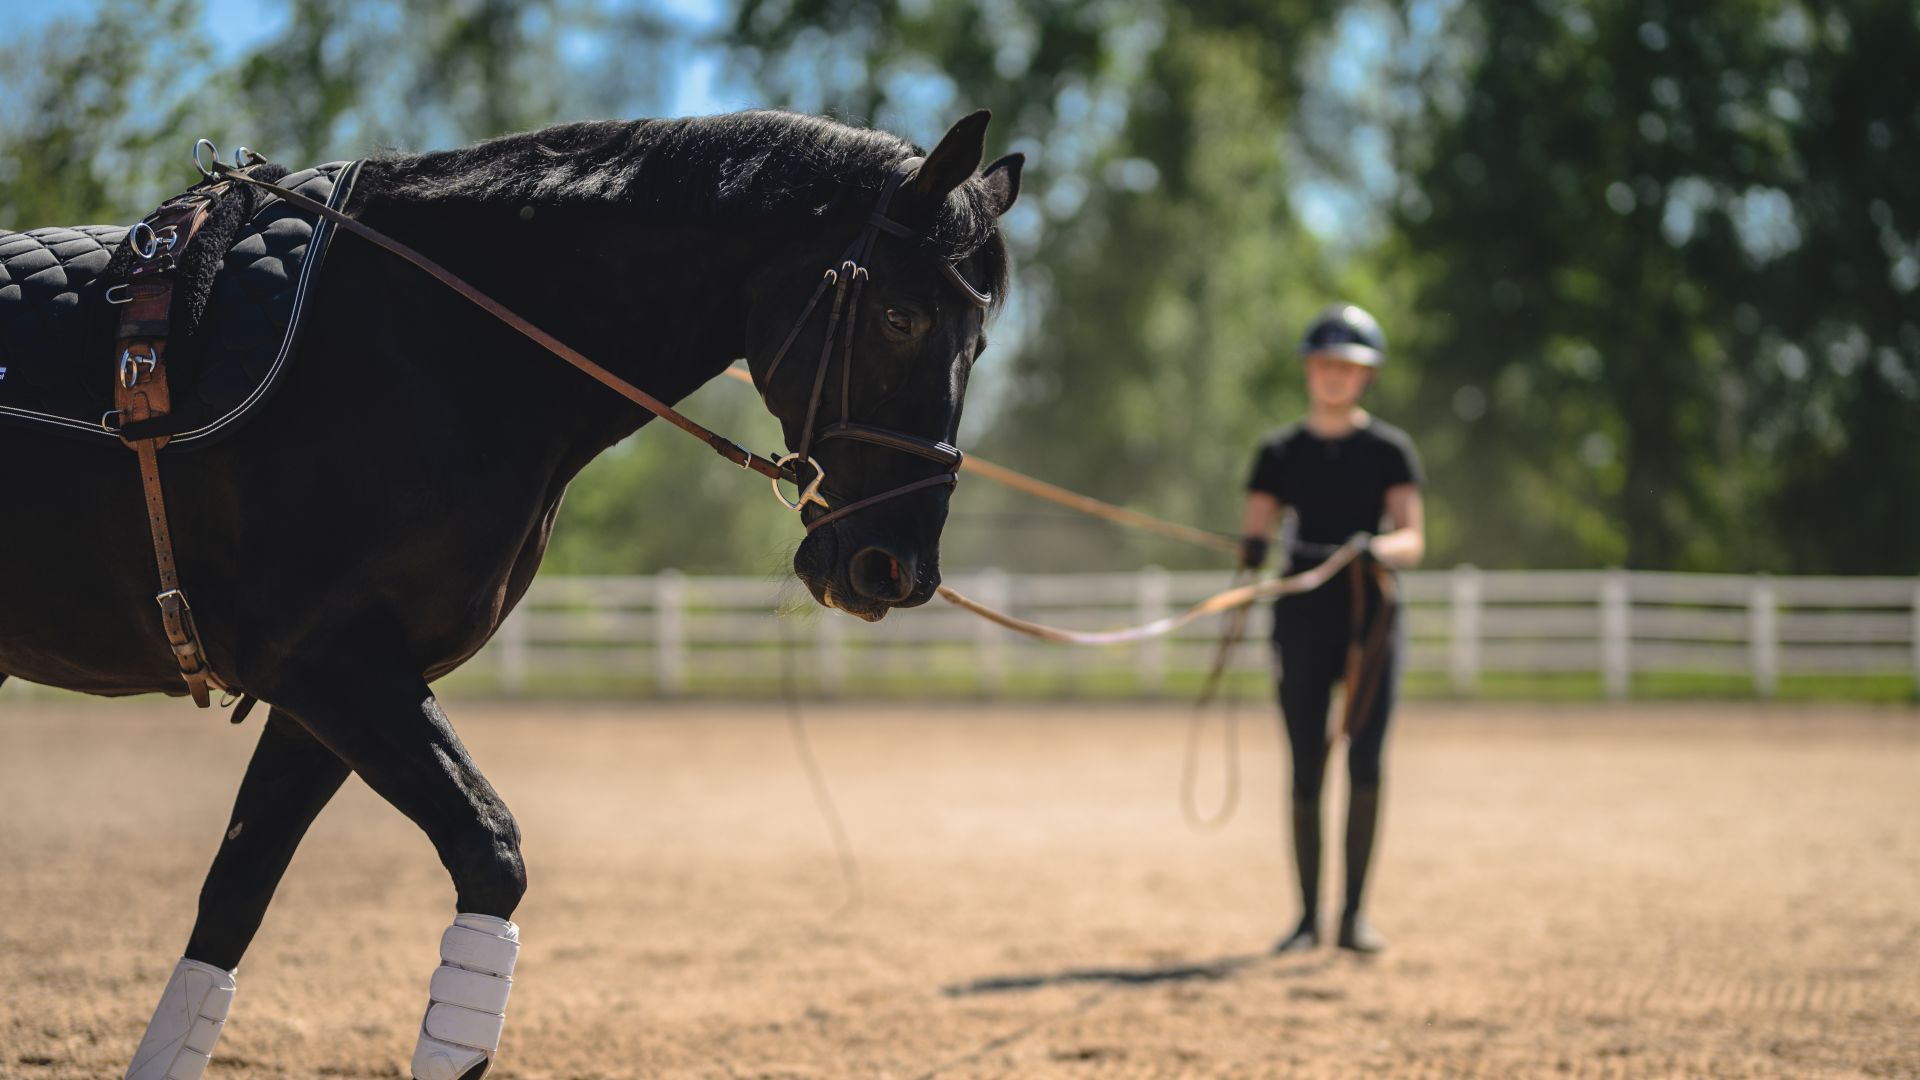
[1339, 472]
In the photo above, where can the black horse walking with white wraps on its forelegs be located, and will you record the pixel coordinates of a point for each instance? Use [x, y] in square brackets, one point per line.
[375, 522]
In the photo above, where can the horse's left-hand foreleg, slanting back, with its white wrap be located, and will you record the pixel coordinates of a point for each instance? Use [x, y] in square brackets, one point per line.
[287, 783]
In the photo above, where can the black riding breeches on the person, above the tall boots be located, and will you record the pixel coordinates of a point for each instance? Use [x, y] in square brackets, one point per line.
[1308, 672]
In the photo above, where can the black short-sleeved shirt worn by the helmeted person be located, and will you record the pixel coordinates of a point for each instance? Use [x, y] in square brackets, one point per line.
[1337, 487]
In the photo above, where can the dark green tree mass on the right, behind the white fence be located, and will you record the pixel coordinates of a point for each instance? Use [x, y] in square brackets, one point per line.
[1668, 295]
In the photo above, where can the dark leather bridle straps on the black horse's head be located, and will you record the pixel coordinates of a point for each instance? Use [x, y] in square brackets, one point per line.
[848, 280]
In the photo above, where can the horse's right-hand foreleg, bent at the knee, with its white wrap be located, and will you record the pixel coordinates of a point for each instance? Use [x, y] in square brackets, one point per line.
[396, 737]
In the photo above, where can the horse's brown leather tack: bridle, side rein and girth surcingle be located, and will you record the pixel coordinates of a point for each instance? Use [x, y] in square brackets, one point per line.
[143, 380]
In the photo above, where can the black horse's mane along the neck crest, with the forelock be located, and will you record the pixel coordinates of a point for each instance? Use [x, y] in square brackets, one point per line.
[752, 168]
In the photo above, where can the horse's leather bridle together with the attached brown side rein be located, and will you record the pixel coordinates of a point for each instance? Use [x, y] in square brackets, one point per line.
[844, 280]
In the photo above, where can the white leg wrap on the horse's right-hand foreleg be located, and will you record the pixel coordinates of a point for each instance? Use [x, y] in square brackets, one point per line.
[468, 1002]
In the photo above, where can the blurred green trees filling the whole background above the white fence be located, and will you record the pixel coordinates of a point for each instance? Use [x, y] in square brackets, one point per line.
[1648, 270]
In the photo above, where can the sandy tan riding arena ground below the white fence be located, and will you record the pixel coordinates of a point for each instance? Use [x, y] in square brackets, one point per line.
[1704, 891]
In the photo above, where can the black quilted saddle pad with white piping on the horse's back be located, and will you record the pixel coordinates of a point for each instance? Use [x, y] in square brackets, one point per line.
[57, 326]
